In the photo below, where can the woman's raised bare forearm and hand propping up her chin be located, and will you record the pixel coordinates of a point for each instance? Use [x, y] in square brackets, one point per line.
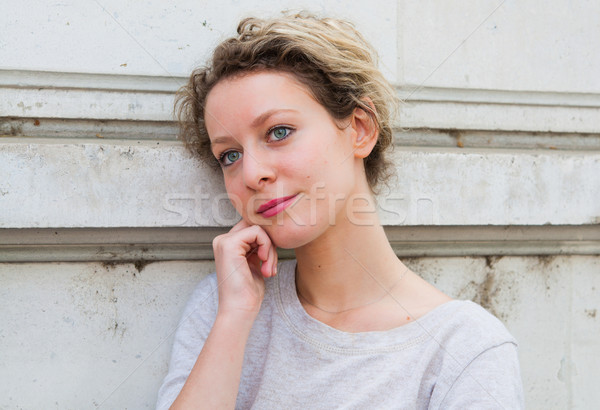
[244, 257]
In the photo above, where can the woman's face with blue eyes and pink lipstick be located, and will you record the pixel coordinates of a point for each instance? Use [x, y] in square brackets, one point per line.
[277, 144]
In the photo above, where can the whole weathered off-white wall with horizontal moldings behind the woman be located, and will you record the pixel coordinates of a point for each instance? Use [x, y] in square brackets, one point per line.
[106, 223]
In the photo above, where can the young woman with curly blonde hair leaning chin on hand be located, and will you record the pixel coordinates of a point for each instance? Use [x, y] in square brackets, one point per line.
[297, 116]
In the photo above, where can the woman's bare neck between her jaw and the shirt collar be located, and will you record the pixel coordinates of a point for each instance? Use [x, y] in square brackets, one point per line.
[349, 265]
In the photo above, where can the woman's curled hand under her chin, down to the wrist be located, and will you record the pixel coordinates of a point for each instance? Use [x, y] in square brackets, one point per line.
[244, 257]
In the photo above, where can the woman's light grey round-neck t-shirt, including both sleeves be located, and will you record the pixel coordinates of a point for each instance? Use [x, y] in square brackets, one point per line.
[457, 356]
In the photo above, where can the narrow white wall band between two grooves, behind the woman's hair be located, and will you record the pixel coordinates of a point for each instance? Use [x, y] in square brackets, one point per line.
[52, 95]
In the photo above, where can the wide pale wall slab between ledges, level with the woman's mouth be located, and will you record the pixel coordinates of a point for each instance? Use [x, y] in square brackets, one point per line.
[54, 183]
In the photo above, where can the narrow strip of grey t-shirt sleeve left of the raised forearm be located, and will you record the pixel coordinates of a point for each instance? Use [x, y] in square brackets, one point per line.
[193, 329]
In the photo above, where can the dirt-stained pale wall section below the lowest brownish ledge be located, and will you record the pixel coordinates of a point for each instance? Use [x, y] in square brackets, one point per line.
[84, 335]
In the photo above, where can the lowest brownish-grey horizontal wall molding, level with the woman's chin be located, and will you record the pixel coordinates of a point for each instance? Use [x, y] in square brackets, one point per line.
[144, 245]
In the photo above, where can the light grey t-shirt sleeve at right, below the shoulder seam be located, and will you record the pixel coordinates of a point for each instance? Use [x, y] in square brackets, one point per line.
[492, 380]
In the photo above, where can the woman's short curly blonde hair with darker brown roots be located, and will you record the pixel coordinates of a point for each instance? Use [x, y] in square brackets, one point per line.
[329, 56]
